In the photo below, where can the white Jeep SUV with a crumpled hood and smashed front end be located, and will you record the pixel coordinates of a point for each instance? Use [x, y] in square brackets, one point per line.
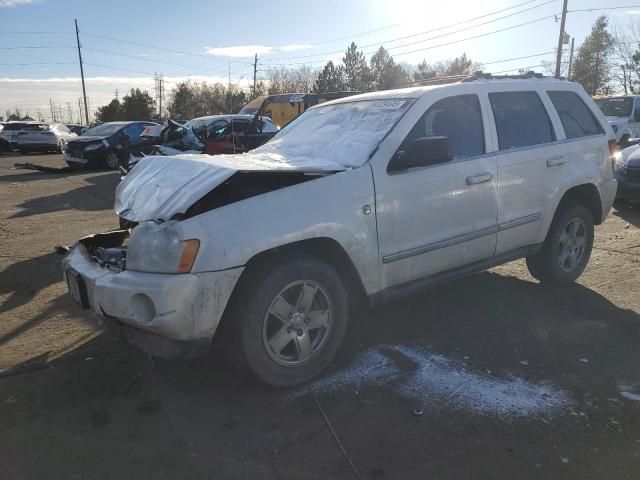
[368, 197]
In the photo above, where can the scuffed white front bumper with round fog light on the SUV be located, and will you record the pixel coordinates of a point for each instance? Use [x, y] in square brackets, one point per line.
[177, 308]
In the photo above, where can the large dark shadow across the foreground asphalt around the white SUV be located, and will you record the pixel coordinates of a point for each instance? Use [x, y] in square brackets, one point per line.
[200, 419]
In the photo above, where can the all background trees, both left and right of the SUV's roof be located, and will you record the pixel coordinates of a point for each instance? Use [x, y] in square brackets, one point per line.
[606, 62]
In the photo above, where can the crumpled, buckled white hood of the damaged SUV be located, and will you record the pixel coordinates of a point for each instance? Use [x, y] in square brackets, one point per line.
[159, 187]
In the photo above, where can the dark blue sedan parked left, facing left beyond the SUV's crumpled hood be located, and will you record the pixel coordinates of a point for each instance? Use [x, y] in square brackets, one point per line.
[105, 145]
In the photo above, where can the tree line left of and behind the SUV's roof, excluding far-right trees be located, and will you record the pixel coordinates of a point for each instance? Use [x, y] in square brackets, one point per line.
[195, 99]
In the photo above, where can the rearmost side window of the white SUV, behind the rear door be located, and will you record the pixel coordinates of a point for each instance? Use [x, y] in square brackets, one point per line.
[577, 119]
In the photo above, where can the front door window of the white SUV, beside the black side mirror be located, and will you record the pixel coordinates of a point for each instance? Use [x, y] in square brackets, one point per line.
[457, 118]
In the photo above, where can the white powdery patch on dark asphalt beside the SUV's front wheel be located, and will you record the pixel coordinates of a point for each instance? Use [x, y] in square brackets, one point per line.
[436, 382]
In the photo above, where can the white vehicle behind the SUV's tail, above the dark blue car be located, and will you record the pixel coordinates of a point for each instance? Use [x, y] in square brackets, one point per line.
[623, 114]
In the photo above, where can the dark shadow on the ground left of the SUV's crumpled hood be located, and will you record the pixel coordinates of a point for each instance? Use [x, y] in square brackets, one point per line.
[98, 195]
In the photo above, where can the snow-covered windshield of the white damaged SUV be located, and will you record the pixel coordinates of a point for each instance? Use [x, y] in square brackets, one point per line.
[343, 134]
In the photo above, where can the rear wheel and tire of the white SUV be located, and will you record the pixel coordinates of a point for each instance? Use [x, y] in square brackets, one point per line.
[567, 248]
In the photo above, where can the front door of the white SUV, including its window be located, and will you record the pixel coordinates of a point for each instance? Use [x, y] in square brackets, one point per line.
[438, 217]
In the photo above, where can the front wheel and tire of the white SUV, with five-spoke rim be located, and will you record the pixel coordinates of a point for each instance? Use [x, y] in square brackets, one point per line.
[285, 348]
